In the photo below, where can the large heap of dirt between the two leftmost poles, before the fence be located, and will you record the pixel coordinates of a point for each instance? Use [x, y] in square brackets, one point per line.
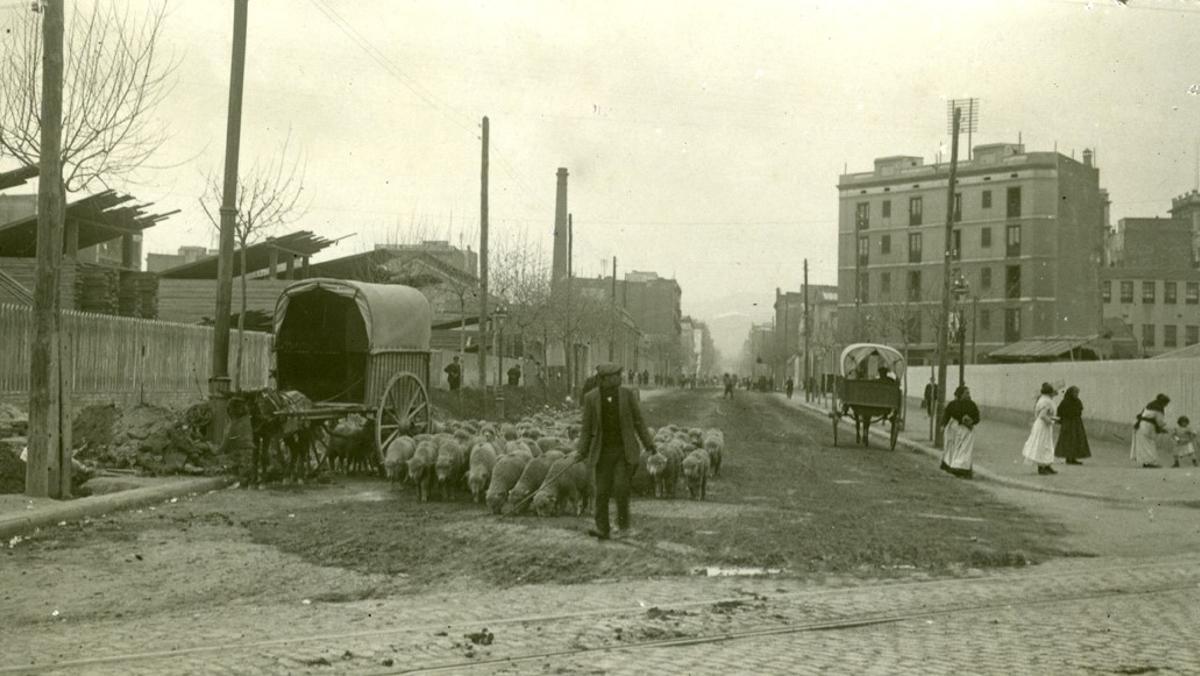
[149, 439]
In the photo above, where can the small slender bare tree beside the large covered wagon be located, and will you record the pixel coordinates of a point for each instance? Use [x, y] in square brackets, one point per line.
[269, 198]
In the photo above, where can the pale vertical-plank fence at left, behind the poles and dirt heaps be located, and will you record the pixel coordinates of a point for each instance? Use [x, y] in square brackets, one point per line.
[127, 361]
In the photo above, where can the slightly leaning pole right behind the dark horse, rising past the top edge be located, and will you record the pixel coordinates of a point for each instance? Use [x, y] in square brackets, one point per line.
[219, 381]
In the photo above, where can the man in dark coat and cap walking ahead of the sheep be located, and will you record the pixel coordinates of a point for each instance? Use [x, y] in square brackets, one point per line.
[613, 427]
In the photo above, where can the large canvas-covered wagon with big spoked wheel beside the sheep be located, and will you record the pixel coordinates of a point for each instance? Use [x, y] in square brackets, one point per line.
[356, 349]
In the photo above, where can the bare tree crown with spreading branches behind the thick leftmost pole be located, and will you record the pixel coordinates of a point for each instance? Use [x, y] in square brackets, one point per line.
[116, 75]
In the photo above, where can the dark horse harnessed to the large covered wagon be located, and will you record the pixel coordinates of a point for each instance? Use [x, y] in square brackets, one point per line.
[292, 435]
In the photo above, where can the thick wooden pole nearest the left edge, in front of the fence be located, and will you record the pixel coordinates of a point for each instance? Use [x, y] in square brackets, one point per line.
[46, 474]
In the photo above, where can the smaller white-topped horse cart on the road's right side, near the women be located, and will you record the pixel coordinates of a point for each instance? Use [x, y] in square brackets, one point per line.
[866, 393]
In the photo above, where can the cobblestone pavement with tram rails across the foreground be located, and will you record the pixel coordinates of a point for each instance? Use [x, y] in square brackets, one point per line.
[1070, 617]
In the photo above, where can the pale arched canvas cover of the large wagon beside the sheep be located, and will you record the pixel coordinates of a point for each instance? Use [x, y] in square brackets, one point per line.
[397, 318]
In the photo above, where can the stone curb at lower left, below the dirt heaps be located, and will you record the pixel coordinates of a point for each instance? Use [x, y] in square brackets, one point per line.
[77, 510]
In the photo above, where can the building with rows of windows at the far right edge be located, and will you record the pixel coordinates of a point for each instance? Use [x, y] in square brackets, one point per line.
[1153, 284]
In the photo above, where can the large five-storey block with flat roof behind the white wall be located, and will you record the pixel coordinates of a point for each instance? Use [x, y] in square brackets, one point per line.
[1028, 241]
